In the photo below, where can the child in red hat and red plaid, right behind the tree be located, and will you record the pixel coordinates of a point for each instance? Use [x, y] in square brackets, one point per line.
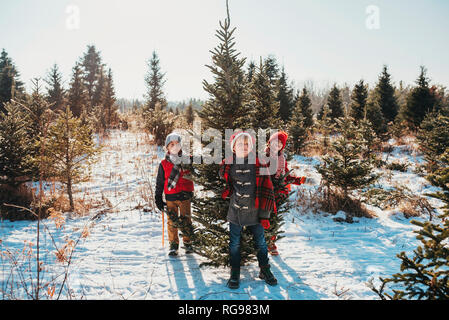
[275, 151]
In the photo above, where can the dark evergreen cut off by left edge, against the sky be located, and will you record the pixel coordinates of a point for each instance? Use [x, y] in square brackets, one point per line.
[10, 84]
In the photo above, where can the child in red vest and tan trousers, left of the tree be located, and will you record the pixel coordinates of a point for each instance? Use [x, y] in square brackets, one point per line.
[171, 180]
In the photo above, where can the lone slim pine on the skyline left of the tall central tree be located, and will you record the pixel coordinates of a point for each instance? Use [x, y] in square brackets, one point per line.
[155, 82]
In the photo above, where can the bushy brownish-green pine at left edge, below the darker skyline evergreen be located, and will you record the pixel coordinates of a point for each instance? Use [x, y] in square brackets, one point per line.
[15, 145]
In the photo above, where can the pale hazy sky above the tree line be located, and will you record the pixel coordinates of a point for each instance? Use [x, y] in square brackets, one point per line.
[322, 41]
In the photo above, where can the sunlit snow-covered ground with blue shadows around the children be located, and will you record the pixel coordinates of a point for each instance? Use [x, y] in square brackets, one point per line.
[122, 257]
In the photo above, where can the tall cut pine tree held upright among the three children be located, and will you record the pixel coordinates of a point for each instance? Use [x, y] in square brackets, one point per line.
[226, 108]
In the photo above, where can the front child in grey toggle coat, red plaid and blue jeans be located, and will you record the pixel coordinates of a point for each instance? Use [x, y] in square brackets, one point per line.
[251, 200]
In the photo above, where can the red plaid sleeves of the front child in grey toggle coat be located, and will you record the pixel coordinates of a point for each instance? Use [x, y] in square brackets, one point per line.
[264, 187]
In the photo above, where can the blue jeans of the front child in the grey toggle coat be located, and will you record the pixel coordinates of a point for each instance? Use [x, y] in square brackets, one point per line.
[259, 239]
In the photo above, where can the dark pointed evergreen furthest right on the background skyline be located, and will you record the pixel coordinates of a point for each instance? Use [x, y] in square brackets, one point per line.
[419, 102]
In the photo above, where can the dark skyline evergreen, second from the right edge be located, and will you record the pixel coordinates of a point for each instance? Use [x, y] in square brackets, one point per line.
[384, 96]
